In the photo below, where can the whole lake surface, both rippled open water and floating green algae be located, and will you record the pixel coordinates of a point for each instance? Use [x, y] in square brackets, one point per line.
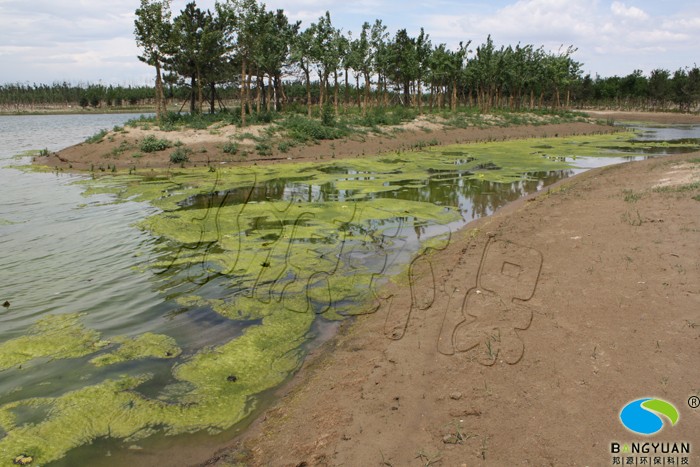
[207, 263]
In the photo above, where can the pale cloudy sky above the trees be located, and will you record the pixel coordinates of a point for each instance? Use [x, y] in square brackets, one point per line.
[92, 41]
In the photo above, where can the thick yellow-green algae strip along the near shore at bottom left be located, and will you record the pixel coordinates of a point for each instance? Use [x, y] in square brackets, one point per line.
[221, 380]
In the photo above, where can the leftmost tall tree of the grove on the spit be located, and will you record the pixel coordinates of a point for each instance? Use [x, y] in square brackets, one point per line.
[152, 31]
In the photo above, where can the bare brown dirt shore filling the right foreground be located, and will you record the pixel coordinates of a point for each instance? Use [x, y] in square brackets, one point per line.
[519, 342]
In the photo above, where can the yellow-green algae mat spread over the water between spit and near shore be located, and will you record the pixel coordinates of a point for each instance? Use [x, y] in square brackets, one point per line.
[268, 250]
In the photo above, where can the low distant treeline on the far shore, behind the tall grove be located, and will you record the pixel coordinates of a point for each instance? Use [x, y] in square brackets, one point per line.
[660, 90]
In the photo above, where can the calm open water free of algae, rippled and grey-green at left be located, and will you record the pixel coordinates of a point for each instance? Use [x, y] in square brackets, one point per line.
[62, 252]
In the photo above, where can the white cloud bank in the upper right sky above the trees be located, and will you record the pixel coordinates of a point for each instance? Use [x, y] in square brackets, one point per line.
[611, 38]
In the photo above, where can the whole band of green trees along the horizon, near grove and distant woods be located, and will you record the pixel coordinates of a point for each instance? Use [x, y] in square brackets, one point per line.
[257, 60]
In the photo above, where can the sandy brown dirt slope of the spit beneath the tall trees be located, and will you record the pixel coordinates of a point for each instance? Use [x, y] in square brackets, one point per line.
[206, 146]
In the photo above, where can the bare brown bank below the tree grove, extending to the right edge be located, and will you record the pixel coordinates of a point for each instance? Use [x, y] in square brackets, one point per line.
[121, 148]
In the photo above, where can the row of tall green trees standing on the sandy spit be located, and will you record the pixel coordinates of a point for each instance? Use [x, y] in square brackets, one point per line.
[241, 42]
